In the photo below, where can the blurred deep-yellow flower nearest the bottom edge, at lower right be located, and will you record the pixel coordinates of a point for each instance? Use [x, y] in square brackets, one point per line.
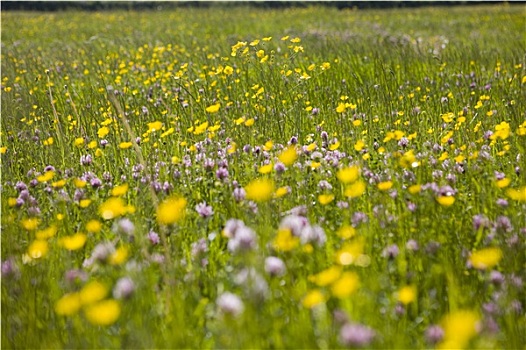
[459, 327]
